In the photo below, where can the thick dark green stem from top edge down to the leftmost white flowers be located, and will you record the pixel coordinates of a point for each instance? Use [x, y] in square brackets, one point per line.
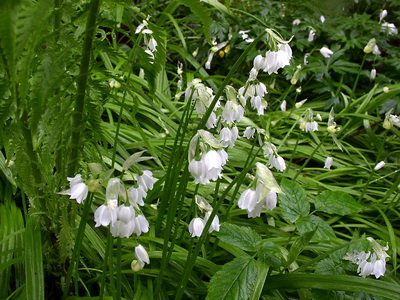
[78, 122]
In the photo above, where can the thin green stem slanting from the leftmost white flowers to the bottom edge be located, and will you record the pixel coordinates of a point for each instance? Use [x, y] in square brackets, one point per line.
[78, 244]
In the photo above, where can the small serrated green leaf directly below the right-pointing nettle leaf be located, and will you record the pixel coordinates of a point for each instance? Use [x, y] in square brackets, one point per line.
[322, 230]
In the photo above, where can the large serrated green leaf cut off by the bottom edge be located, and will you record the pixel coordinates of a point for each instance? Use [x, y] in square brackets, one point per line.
[235, 280]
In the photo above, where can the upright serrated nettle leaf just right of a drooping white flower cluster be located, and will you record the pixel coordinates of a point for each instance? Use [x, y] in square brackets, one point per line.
[294, 203]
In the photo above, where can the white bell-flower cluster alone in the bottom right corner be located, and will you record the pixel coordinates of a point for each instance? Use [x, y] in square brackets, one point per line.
[370, 264]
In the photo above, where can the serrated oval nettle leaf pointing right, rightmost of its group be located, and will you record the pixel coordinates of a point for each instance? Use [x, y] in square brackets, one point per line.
[337, 202]
